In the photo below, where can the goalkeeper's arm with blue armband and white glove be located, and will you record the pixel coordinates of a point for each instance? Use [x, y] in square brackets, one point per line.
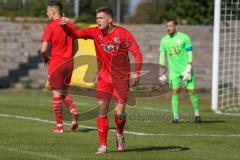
[188, 47]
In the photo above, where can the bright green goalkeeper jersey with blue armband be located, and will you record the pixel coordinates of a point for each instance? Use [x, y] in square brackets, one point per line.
[178, 49]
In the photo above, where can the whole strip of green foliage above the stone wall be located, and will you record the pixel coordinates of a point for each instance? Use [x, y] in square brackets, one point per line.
[197, 12]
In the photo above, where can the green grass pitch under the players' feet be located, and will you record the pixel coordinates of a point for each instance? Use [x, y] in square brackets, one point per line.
[26, 121]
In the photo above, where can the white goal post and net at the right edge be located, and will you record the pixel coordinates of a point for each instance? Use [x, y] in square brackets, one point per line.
[226, 59]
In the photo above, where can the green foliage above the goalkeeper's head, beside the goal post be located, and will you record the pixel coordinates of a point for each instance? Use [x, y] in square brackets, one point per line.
[197, 12]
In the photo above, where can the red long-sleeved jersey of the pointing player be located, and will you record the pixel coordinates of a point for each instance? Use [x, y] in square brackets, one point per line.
[112, 51]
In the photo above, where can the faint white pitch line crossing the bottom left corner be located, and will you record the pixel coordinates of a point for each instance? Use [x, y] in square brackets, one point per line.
[49, 156]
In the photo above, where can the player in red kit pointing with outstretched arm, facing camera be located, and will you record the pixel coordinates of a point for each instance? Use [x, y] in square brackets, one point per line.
[112, 44]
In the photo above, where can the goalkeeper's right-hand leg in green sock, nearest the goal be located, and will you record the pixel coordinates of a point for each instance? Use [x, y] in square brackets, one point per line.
[190, 85]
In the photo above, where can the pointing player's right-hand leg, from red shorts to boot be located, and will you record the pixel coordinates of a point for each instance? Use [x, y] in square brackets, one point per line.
[120, 94]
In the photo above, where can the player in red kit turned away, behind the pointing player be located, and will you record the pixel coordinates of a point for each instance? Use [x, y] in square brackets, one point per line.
[60, 64]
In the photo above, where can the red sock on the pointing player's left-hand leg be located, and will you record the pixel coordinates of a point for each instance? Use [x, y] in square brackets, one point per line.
[102, 127]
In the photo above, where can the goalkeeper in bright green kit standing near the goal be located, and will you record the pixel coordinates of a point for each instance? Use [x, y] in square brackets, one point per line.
[177, 47]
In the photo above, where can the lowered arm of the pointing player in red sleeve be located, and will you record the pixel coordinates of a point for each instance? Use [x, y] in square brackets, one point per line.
[135, 51]
